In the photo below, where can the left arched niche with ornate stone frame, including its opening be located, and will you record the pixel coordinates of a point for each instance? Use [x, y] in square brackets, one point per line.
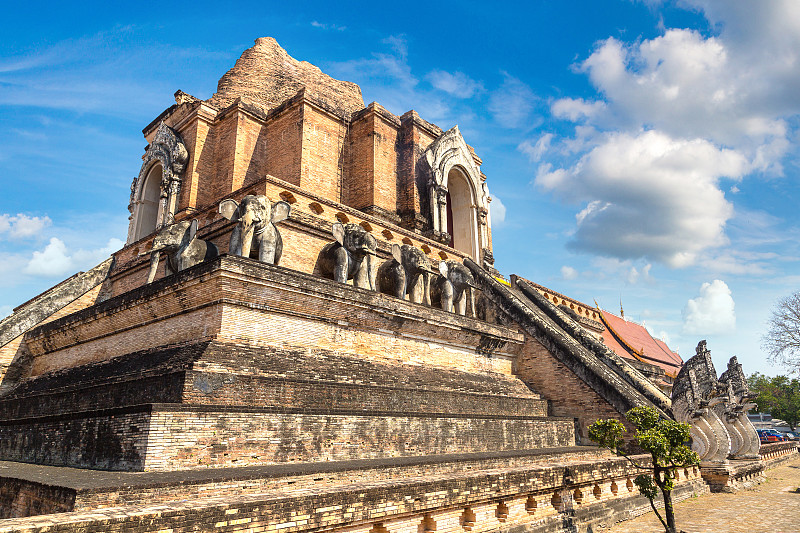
[159, 179]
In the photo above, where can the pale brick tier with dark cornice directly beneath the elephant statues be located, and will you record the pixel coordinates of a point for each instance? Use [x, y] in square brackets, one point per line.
[265, 305]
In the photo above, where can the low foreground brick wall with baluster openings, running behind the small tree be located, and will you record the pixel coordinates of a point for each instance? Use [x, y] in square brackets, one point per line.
[542, 498]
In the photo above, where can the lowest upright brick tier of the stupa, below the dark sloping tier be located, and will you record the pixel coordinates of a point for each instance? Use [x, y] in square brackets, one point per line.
[173, 436]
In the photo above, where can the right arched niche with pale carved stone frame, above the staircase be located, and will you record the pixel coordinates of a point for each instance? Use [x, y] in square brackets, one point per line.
[458, 198]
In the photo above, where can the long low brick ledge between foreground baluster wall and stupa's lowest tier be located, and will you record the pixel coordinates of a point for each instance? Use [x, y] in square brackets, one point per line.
[95, 489]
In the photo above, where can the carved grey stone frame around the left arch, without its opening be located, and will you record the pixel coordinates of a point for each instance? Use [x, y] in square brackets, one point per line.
[168, 149]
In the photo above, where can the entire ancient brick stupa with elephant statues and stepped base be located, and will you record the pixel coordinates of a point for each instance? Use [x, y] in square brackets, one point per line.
[306, 331]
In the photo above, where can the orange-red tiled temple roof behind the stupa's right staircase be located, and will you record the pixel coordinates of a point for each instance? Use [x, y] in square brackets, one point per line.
[631, 340]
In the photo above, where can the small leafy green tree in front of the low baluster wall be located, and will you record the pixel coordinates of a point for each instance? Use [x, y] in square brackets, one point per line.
[664, 440]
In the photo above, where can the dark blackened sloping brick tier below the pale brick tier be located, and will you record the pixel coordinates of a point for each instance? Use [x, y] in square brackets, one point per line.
[216, 373]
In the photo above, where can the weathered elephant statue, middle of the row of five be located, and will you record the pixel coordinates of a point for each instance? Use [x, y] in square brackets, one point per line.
[352, 256]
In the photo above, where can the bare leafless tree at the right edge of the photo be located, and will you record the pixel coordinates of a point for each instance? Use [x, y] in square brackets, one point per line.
[782, 339]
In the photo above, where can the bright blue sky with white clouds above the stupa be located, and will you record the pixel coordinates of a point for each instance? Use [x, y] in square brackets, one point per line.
[637, 151]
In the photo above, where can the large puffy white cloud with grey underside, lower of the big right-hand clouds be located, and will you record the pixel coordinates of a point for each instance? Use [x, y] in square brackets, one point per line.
[648, 195]
